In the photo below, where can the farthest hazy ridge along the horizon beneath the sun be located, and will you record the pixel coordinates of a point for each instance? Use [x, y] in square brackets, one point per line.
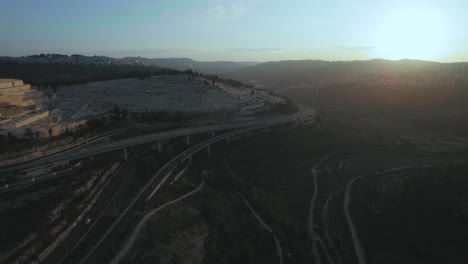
[284, 74]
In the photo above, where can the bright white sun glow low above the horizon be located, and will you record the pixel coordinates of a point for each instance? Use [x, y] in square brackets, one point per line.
[413, 34]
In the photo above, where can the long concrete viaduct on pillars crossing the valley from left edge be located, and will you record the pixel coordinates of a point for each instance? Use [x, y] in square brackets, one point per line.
[237, 129]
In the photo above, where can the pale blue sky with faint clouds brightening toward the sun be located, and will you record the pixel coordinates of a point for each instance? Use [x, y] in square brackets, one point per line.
[238, 30]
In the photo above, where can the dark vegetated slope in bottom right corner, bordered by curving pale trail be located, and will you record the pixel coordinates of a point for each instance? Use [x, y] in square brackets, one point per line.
[418, 216]
